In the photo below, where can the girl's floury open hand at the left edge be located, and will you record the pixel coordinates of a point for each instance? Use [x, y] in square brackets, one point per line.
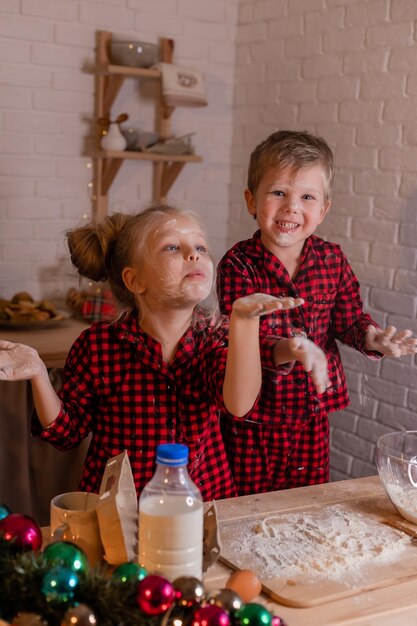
[19, 362]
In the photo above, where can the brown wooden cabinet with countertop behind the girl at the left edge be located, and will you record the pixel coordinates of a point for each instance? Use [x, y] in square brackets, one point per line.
[32, 471]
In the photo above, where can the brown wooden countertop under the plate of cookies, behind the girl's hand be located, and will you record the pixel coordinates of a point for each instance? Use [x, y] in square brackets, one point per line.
[52, 344]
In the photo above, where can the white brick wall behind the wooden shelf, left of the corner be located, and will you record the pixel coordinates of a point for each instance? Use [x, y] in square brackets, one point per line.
[46, 108]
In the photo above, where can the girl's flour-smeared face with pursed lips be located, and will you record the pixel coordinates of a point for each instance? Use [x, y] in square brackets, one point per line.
[177, 269]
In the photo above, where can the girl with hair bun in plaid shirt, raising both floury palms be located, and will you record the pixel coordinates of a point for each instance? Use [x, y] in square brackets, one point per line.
[162, 371]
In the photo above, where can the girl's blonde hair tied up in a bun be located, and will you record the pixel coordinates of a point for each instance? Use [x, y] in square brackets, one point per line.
[101, 250]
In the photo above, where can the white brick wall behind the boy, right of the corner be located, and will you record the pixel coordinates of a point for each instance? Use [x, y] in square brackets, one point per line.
[347, 70]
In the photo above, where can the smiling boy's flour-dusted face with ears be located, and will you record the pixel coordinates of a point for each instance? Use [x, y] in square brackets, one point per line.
[289, 204]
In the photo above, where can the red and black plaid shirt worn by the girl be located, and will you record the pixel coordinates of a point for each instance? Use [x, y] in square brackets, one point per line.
[117, 386]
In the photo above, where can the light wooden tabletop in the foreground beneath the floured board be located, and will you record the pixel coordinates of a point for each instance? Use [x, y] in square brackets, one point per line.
[394, 605]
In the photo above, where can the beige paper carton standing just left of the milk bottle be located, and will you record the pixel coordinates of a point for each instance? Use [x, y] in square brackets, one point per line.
[117, 511]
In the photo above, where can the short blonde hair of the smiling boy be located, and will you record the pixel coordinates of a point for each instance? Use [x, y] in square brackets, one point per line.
[294, 149]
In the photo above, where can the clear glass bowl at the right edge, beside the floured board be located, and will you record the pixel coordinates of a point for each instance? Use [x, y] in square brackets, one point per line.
[396, 461]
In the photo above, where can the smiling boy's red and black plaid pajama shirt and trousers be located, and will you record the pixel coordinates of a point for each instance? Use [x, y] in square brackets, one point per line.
[284, 441]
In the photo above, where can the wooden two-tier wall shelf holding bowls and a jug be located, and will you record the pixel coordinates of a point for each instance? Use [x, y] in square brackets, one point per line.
[109, 80]
